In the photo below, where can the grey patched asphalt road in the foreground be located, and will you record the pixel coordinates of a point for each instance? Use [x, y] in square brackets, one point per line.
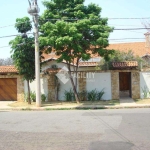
[126, 129]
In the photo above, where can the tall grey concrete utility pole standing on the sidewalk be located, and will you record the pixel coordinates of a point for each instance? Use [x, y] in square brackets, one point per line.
[33, 10]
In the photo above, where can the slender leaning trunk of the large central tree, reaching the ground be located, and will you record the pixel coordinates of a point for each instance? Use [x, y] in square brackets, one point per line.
[73, 85]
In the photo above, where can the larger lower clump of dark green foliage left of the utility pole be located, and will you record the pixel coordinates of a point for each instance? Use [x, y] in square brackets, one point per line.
[24, 57]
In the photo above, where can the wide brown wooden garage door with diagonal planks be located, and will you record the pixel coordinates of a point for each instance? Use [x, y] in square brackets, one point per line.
[8, 89]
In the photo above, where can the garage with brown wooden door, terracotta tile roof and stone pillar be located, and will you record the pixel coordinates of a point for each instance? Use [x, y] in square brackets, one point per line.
[11, 84]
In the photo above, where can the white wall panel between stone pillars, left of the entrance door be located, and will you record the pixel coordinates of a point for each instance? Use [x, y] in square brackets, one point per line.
[100, 81]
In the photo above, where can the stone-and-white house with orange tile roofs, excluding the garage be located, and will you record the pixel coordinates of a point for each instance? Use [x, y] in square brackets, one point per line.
[126, 79]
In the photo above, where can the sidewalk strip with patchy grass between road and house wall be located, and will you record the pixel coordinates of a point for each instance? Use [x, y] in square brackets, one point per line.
[68, 106]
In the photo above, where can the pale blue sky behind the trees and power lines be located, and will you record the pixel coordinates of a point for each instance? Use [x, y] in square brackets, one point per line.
[12, 9]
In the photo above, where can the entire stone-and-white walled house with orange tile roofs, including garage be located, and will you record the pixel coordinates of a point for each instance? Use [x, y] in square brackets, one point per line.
[113, 82]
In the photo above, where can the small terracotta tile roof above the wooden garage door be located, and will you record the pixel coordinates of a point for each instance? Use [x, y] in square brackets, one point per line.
[8, 69]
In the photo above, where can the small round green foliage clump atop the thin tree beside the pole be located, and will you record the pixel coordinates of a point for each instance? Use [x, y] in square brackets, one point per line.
[23, 25]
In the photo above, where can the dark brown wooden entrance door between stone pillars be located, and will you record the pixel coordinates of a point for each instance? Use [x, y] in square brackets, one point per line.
[125, 84]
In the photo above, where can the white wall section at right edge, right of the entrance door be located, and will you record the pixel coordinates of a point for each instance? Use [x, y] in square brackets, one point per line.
[144, 82]
